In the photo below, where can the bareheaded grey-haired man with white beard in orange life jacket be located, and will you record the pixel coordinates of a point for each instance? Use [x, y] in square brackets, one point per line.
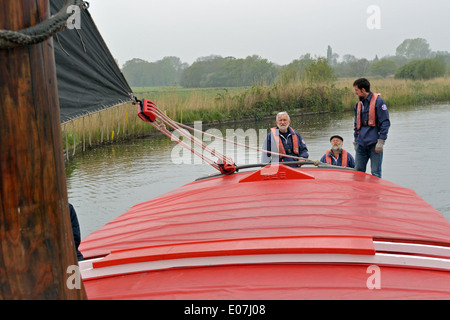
[285, 141]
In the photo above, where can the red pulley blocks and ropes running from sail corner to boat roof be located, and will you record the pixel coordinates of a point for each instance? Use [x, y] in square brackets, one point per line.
[149, 112]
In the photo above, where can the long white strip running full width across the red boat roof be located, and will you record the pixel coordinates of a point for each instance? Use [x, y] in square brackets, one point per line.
[381, 259]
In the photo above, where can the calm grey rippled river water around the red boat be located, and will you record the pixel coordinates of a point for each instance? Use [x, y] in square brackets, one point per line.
[105, 182]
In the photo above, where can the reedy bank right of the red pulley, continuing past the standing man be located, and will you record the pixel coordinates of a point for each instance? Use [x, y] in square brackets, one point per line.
[219, 104]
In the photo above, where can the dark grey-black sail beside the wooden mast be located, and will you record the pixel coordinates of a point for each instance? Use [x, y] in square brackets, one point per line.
[89, 78]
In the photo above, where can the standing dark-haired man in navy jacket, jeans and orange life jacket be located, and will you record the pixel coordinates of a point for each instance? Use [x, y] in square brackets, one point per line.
[371, 127]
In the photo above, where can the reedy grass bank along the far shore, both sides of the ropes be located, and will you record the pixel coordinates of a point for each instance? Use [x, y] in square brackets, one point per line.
[212, 105]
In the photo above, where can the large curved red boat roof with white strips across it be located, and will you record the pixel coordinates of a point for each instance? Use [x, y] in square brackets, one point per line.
[277, 233]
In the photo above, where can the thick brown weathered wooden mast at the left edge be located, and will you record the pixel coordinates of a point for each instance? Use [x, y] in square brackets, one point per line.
[36, 241]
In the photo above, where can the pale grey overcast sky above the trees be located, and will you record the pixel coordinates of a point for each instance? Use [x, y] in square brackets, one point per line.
[277, 30]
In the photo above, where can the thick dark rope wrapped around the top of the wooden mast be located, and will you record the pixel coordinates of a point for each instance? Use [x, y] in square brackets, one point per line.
[42, 31]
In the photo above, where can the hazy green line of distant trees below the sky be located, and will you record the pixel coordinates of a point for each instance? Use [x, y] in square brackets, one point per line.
[414, 59]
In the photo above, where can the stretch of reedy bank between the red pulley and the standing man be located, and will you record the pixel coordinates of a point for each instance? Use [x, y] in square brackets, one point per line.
[221, 104]
